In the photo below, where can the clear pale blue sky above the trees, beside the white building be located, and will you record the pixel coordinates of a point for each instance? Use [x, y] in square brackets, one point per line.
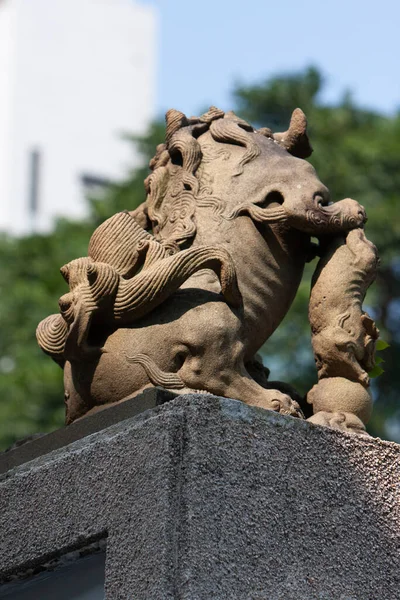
[207, 46]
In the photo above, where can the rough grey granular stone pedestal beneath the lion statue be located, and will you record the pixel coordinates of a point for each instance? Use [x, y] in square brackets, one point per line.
[206, 497]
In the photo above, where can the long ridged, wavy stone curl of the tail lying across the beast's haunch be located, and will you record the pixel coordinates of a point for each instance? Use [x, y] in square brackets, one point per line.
[98, 288]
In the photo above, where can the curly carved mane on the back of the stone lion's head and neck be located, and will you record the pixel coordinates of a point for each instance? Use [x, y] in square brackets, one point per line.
[176, 185]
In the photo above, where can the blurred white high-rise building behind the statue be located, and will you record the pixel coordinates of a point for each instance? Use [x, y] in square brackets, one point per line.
[75, 75]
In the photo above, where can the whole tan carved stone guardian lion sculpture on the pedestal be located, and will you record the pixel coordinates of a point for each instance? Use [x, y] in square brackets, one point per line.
[183, 291]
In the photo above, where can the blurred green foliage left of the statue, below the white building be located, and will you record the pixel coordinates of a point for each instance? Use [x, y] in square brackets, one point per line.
[31, 387]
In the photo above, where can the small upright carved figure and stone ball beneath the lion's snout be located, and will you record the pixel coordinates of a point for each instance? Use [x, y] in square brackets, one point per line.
[343, 335]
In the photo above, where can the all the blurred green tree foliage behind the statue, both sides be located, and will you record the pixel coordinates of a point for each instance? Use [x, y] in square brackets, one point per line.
[356, 154]
